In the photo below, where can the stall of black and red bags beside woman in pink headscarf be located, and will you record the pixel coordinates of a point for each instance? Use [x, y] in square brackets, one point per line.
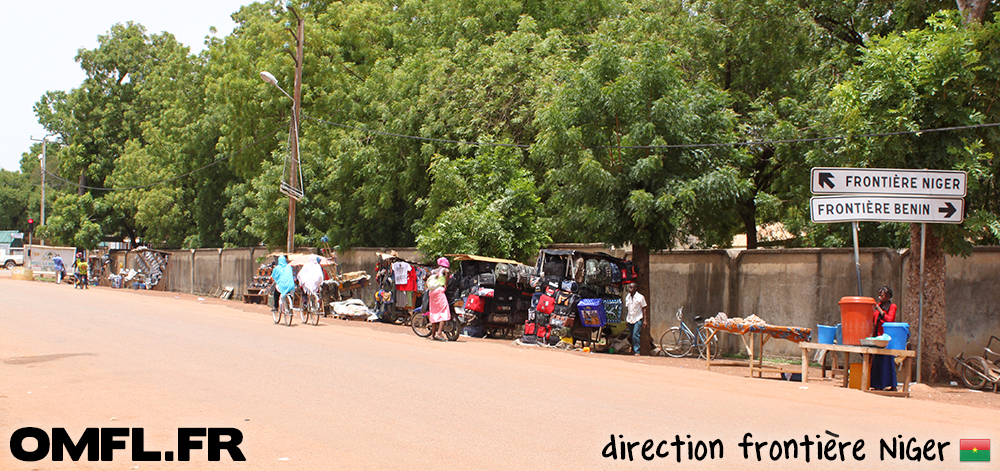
[497, 290]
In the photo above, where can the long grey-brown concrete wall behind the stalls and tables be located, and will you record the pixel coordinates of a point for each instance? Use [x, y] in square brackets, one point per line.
[792, 287]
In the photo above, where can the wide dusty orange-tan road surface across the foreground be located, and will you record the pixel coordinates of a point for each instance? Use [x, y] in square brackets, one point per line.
[342, 396]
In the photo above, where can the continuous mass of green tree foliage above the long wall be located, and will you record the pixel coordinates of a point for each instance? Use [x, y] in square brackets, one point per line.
[497, 126]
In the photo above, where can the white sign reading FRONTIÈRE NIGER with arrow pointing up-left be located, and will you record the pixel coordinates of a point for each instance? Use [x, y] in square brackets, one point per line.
[887, 181]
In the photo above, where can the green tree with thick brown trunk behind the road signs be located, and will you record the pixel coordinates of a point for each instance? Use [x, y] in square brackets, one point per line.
[935, 77]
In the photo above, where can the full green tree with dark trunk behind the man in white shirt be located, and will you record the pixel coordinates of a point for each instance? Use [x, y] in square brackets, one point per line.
[604, 137]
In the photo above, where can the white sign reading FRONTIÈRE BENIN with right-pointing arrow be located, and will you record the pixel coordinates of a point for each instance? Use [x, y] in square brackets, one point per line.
[847, 208]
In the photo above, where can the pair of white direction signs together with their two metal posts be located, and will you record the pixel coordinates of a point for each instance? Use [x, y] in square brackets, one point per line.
[889, 195]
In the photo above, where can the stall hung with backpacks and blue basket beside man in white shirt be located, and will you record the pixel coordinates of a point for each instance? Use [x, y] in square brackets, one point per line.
[578, 297]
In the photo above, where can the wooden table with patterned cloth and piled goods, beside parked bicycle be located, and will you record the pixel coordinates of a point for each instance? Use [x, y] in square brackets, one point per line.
[755, 334]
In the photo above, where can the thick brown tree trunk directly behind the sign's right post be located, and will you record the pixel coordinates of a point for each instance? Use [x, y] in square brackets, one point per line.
[934, 357]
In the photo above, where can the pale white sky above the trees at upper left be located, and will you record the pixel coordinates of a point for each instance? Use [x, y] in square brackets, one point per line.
[41, 39]
